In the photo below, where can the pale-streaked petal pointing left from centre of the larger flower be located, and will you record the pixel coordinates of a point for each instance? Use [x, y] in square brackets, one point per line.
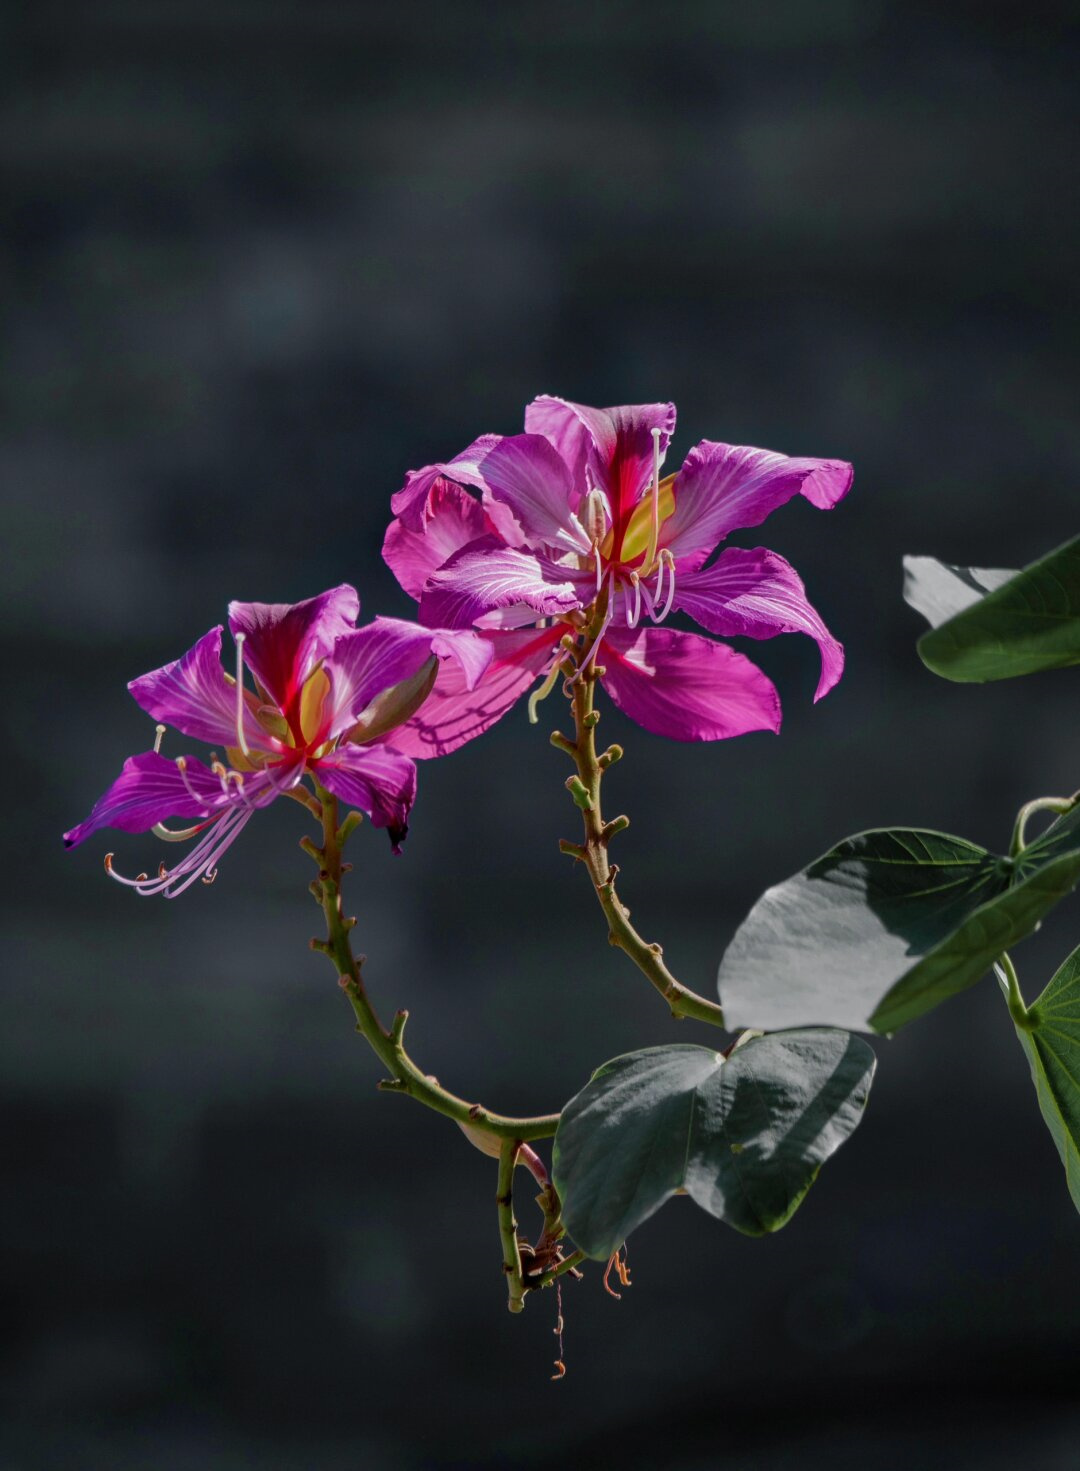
[488, 576]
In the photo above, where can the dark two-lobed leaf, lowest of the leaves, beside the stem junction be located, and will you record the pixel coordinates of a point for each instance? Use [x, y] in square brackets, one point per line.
[744, 1138]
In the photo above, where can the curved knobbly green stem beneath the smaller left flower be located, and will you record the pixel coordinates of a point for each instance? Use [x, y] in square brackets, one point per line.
[388, 1045]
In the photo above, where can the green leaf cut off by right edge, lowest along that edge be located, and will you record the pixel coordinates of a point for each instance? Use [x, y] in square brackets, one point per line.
[1051, 1042]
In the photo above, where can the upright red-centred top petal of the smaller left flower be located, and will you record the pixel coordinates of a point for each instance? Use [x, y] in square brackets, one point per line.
[286, 641]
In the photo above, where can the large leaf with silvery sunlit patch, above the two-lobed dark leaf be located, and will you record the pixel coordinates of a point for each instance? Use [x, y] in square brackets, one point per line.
[887, 926]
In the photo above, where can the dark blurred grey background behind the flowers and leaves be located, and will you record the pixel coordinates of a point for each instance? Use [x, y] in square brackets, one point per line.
[258, 260]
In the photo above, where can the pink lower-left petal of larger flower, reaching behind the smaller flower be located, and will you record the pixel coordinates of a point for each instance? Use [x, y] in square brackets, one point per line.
[455, 714]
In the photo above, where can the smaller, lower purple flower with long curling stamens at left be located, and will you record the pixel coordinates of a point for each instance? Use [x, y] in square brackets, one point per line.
[329, 701]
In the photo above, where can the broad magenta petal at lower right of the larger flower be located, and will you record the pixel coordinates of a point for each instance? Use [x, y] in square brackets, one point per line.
[685, 686]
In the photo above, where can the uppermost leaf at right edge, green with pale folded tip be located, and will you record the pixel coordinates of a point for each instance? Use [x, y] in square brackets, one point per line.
[1020, 624]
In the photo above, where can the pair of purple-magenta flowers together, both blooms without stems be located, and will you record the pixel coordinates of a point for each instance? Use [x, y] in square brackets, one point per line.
[520, 544]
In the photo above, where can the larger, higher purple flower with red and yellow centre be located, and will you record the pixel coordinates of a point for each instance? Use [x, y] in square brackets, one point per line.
[570, 527]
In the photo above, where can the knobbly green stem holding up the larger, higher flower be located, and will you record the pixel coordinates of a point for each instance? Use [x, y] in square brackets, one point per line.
[594, 854]
